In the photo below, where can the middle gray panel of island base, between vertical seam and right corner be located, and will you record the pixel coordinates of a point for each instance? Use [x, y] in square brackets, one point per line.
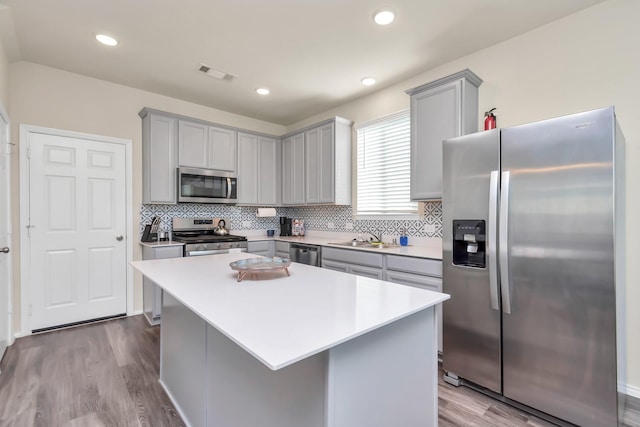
[242, 391]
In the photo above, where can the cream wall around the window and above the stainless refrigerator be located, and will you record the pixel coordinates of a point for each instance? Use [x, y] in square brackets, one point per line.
[582, 62]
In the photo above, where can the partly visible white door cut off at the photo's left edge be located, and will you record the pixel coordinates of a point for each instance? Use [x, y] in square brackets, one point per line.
[5, 235]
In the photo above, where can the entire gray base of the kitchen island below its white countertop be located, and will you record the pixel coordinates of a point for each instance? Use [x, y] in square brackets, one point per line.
[387, 377]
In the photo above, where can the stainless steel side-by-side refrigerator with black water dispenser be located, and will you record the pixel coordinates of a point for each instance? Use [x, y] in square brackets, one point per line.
[533, 258]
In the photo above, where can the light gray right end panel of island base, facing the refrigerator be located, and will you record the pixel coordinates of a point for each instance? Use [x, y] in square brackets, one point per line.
[387, 377]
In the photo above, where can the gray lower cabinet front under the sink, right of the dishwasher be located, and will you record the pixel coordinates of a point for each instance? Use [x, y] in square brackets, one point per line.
[359, 263]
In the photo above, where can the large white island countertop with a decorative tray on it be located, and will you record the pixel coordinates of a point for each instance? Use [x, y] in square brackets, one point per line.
[278, 319]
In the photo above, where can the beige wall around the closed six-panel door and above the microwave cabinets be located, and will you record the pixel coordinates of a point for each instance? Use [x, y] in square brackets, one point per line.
[49, 97]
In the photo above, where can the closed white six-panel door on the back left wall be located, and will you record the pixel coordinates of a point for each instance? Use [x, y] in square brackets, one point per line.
[77, 225]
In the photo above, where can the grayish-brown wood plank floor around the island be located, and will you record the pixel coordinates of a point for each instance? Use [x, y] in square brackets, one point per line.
[106, 374]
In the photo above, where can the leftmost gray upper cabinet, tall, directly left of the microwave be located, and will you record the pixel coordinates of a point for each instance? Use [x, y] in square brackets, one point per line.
[159, 157]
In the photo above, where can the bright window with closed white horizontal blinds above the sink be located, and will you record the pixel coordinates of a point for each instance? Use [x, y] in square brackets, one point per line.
[383, 167]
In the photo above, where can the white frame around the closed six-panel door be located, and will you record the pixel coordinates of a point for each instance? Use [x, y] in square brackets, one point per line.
[25, 242]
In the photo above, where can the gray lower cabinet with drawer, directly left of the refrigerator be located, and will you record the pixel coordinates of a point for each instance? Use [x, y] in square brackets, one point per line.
[420, 273]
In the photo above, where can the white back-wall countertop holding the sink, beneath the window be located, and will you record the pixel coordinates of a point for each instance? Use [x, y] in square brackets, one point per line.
[431, 249]
